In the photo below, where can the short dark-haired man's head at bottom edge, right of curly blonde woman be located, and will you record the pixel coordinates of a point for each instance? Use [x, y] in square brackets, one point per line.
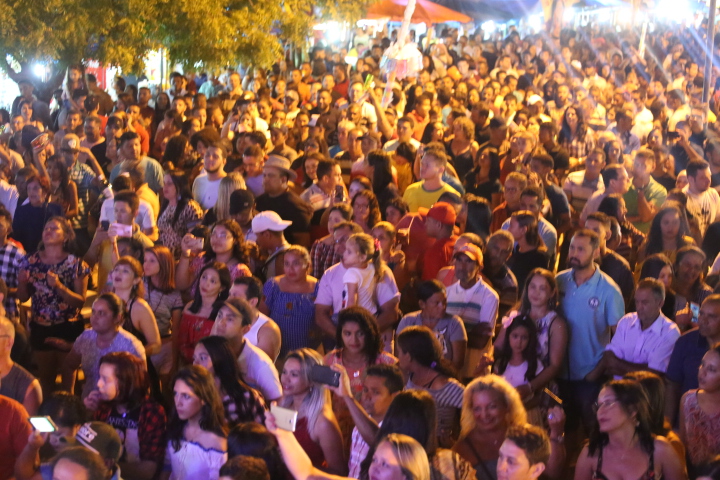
[524, 453]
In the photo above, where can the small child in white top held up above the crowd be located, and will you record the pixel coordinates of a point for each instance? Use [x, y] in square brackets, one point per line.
[365, 269]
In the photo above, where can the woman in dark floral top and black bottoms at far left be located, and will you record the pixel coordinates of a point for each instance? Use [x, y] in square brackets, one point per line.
[56, 280]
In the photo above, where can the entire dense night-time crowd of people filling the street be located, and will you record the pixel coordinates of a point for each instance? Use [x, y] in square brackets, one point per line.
[508, 272]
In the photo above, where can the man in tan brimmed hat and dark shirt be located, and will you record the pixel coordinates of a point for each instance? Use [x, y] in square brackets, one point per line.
[278, 197]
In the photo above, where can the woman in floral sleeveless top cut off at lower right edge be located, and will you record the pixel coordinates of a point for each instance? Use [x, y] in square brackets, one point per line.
[699, 416]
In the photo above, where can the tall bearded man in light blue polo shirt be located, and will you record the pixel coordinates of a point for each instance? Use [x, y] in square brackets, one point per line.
[592, 304]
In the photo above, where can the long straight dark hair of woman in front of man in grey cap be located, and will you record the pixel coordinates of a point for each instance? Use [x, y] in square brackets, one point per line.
[227, 371]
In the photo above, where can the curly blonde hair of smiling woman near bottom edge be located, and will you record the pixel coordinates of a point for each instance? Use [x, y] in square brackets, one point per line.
[516, 414]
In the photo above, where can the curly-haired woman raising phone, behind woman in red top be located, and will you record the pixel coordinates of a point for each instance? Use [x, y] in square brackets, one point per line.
[227, 245]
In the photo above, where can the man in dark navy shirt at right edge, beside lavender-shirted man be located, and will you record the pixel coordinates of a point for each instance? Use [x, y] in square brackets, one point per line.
[688, 352]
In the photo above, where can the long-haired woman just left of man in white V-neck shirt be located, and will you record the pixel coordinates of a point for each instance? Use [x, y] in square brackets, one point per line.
[669, 232]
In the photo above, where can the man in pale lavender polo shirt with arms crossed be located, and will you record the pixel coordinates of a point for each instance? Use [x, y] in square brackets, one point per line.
[644, 339]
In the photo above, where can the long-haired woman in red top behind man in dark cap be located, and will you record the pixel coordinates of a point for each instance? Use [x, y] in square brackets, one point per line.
[198, 316]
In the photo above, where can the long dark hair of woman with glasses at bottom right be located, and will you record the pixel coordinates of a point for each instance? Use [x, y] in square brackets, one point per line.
[632, 398]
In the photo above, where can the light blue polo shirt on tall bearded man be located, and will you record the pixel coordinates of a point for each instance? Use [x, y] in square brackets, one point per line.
[590, 309]
